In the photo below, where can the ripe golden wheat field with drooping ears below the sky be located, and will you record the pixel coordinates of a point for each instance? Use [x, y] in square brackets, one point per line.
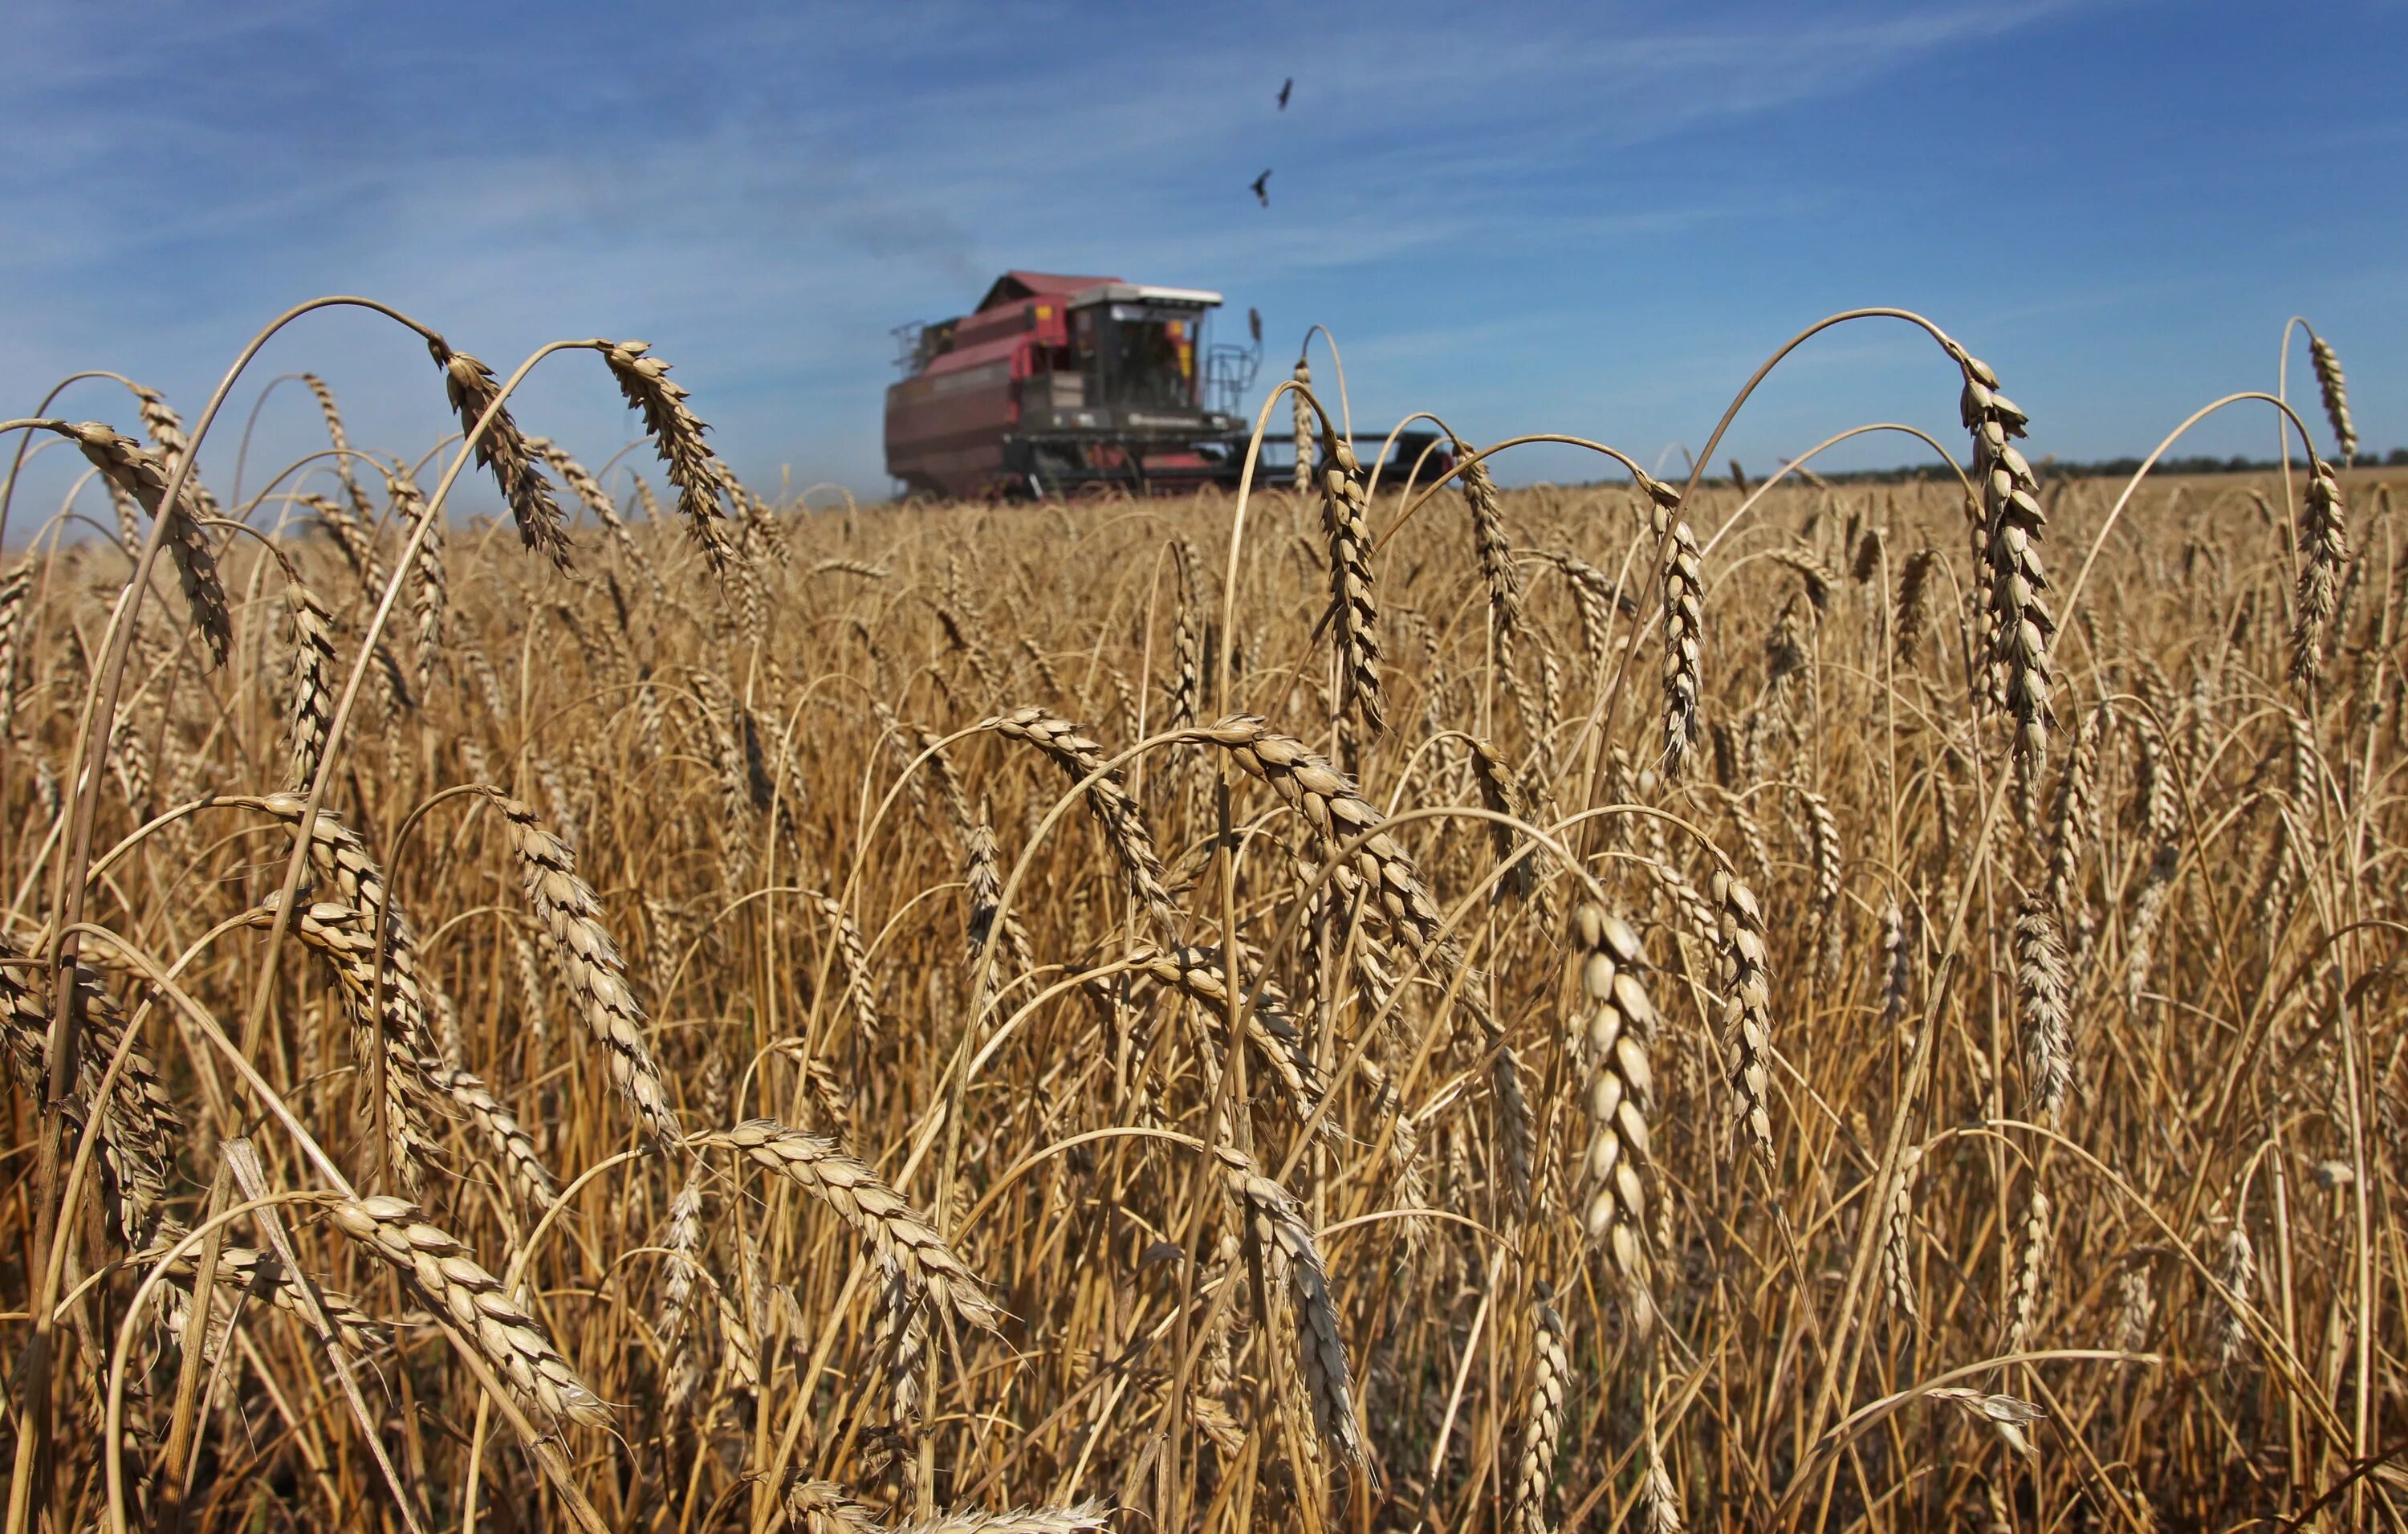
[1802, 1005]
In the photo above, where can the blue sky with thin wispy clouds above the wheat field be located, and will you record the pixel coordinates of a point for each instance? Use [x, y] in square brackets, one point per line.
[1590, 218]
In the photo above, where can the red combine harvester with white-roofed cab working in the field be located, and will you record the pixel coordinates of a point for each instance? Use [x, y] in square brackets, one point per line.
[1058, 387]
